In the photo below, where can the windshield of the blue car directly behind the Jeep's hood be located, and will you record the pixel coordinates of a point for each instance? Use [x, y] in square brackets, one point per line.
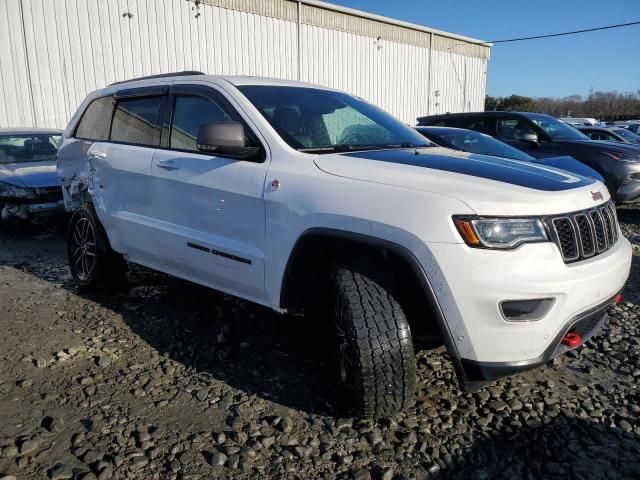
[475, 142]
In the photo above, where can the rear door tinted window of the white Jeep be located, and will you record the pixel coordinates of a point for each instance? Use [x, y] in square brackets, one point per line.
[137, 120]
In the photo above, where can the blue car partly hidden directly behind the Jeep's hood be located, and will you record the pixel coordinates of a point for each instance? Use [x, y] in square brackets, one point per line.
[476, 142]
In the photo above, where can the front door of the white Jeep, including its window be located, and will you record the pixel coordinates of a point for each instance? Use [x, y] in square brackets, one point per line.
[209, 210]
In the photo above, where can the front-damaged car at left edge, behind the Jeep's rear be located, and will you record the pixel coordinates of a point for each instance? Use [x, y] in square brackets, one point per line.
[29, 187]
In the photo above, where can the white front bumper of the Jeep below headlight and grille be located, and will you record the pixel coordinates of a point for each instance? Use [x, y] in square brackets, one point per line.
[476, 281]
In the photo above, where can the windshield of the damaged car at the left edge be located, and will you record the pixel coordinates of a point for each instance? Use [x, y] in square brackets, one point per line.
[28, 148]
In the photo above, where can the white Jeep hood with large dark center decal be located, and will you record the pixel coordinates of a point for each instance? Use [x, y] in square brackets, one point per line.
[488, 185]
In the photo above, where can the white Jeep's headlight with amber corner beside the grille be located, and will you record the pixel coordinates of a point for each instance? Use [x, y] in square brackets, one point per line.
[503, 233]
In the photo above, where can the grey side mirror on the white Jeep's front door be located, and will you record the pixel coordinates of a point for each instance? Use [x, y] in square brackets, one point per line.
[225, 138]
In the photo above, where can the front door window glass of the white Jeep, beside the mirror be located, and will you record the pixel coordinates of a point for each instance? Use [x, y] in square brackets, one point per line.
[190, 112]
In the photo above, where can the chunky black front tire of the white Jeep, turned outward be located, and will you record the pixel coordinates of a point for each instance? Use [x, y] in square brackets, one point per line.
[376, 363]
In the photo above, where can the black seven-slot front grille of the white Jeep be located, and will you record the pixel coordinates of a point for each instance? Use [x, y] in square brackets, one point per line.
[582, 235]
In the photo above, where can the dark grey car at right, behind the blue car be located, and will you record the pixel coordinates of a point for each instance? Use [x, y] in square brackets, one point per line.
[544, 136]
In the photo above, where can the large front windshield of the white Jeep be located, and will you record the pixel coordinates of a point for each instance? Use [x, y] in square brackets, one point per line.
[322, 121]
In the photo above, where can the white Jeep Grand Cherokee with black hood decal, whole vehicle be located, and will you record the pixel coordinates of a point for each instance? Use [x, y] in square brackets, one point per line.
[309, 200]
